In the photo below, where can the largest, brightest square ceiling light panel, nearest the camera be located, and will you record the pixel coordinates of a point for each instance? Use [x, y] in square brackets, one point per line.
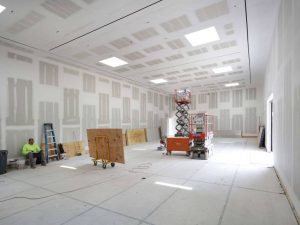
[202, 37]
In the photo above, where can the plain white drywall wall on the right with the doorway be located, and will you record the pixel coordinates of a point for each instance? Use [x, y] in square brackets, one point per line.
[283, 80]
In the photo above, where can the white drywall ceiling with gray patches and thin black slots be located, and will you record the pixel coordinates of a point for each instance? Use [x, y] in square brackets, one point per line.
[149, 35]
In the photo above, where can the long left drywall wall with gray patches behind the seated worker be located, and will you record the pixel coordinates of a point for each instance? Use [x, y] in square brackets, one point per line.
[34, 90]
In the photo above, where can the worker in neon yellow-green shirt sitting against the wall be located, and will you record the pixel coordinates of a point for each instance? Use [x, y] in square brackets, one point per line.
[32, 151]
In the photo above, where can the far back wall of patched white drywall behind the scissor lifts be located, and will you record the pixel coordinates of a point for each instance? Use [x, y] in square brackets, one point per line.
[226, 117]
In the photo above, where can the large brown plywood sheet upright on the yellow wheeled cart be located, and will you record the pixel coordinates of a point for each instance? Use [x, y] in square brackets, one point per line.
[106, 144]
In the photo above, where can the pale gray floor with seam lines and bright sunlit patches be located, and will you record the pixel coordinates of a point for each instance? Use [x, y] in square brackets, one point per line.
[236, 186]
